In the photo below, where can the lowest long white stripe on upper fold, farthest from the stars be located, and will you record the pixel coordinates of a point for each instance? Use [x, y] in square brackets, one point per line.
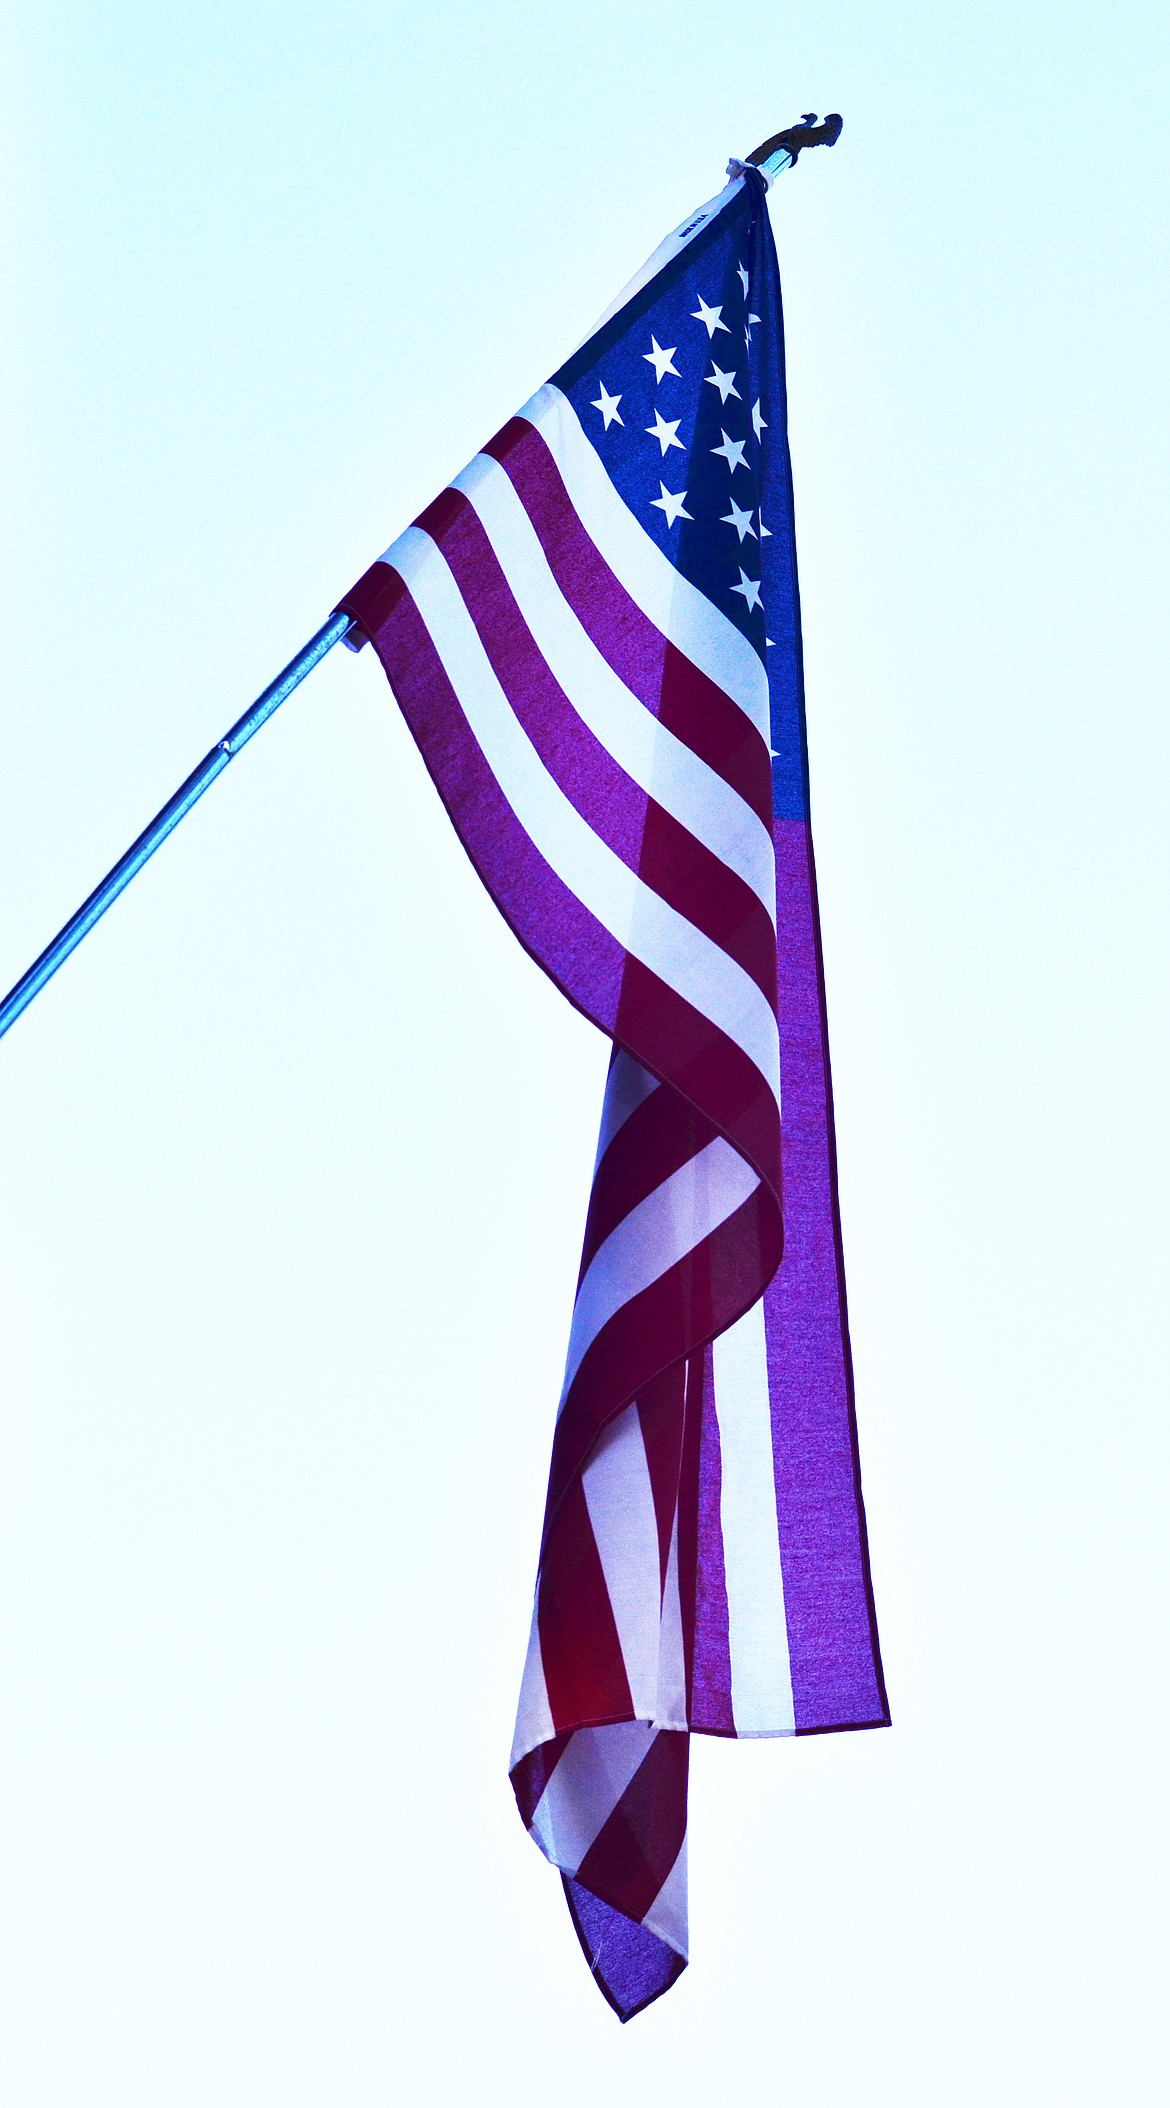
[638, 918]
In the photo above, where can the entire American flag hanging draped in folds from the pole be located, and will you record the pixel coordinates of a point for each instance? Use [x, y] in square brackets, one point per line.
[596, 640]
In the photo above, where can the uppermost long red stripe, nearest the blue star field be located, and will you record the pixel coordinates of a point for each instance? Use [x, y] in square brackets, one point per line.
[684, 699]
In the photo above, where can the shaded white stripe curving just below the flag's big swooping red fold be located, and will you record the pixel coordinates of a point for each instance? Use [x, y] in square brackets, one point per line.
[655, 1236]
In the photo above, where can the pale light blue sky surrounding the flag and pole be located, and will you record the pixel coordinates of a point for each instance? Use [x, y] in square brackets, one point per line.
[296, 1150]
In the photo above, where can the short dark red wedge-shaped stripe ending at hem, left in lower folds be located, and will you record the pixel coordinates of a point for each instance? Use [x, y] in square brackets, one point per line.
[579, 1641]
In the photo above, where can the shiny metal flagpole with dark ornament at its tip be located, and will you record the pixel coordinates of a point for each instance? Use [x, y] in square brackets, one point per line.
[771, 159]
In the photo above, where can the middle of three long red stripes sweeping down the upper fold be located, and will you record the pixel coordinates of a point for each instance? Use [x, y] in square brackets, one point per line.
[665, 855]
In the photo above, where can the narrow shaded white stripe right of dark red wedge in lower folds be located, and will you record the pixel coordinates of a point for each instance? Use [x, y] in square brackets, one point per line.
[621, 1510]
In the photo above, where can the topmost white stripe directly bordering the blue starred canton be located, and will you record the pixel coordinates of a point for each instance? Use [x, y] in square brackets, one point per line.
[680, 610]
